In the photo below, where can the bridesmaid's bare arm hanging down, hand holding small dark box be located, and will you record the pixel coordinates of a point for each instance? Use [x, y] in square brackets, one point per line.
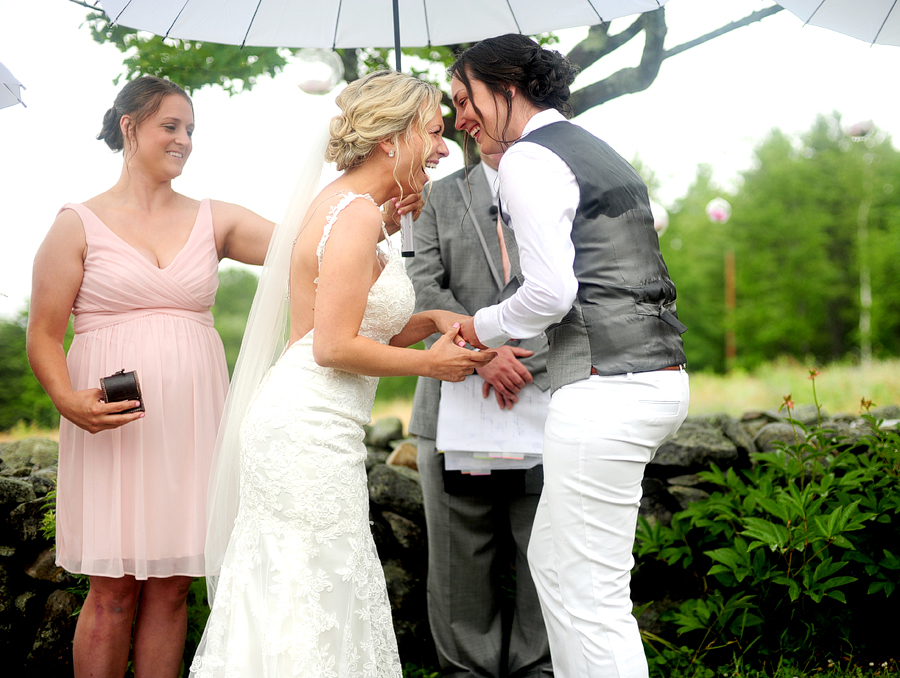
[56, 279]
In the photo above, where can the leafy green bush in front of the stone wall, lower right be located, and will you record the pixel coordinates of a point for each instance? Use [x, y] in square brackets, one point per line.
[790, 560]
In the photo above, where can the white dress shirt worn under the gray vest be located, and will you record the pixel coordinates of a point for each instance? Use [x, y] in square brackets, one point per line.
[540, 194]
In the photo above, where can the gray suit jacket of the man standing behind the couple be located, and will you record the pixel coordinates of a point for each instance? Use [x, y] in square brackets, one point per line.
[457, 267]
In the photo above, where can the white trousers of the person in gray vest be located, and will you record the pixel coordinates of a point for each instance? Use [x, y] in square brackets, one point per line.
[600, 434]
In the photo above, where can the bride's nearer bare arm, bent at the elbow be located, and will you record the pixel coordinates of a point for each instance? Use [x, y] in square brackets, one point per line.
[345, 277]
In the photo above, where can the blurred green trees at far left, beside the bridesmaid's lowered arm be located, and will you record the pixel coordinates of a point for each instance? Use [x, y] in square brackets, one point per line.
[21, 396]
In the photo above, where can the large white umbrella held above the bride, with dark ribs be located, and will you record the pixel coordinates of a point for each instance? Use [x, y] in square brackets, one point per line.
[361, 23]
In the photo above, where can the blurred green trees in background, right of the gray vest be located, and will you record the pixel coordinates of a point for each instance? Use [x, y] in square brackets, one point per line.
[794, 230]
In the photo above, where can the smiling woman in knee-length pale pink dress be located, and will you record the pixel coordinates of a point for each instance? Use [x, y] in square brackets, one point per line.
[137, 265]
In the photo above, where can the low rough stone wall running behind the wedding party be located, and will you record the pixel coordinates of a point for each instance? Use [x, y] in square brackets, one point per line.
[36, 622]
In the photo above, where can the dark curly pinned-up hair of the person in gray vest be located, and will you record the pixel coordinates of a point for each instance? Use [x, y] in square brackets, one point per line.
[542, 75]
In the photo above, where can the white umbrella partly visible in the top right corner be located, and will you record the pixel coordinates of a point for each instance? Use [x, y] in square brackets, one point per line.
[875, 21]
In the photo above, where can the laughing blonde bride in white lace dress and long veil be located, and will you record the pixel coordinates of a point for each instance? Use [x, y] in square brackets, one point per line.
[300, 590]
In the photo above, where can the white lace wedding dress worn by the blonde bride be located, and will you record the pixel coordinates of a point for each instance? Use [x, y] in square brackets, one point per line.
[302, 592]
